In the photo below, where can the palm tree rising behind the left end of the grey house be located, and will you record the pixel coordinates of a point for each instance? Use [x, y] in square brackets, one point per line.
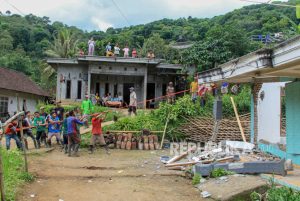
[64, 46]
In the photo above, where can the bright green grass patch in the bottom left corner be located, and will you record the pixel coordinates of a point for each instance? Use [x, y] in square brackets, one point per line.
[14, 174]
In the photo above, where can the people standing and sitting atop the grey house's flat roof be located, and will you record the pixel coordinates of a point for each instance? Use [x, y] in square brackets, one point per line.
[115, 50]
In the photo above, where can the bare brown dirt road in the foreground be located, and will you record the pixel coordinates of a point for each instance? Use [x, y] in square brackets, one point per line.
[121, 176]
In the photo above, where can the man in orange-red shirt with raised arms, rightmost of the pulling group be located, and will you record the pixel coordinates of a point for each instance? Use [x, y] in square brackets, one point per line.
[97, 135]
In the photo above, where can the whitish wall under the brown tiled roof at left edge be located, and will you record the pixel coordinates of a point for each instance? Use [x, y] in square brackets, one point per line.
[31, 100]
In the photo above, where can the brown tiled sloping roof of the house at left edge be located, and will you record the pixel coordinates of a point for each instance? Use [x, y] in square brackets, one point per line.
[16, 81]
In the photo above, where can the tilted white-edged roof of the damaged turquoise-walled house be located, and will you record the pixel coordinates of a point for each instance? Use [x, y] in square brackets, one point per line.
[280, 63]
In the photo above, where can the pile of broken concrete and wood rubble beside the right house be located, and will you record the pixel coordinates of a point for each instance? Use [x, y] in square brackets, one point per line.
[234, 156]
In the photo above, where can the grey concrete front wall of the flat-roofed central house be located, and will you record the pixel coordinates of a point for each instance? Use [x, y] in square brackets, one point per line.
[112, 74]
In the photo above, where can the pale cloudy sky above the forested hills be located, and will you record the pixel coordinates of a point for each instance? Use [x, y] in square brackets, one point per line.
[101, 14]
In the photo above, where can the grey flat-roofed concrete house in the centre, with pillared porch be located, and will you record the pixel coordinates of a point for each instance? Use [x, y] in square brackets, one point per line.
[115, 75]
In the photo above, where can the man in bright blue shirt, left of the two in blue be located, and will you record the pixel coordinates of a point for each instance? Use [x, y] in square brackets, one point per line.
[54, 128]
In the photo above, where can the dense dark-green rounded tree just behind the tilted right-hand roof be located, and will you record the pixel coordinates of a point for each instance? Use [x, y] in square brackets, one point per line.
[221, 44]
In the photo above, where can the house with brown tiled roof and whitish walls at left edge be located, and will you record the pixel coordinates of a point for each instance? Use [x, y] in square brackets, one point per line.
[14, 84]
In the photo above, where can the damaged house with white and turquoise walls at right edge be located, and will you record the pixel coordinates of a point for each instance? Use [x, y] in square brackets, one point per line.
[274, 73]
